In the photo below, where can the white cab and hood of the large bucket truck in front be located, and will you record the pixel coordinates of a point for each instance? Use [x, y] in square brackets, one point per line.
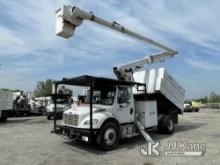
[114, 102]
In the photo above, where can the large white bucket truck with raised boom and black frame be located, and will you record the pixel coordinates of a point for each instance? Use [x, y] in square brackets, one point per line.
[124, 108]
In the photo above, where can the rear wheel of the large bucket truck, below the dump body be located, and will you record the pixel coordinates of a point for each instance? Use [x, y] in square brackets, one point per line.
[166, 125]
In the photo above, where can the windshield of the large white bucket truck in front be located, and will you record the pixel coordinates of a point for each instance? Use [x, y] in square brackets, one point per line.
[101, 96]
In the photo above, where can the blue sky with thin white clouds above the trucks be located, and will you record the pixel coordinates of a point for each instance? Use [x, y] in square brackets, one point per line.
[30, 51]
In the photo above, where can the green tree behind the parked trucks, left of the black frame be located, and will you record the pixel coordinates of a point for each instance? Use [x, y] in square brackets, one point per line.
[43, 88]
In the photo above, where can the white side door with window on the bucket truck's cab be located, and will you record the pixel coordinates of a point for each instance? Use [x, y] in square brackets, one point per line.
[125, 105]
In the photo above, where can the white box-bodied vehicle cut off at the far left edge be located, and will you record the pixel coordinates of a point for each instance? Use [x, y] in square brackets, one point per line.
[6, 104]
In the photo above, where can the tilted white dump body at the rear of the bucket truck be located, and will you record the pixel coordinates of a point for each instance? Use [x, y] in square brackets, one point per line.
[161, 86]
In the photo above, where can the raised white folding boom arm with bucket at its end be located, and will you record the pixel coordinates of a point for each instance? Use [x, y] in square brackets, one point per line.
[68, 18]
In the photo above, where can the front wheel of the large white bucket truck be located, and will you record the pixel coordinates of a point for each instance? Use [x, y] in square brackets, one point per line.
[109, 136]
